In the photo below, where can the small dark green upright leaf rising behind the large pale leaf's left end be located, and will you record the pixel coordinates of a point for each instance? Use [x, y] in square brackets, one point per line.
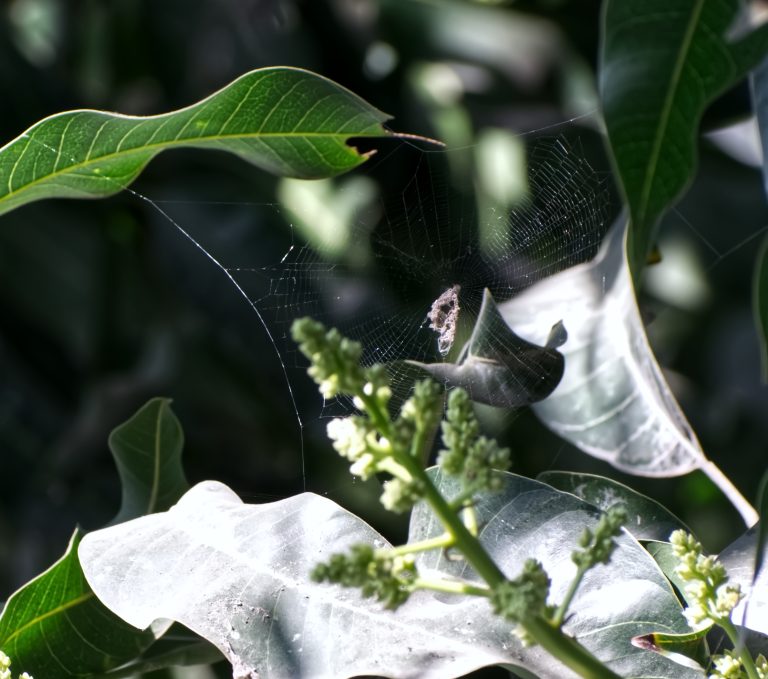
[147, 451]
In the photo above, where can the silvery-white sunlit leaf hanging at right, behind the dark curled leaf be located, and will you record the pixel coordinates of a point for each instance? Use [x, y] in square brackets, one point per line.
[613, 401]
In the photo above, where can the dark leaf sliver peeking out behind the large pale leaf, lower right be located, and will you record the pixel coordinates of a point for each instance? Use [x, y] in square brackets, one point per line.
[646, 518]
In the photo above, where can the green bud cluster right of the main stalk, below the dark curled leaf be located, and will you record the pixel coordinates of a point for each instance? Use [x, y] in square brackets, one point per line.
[471, 457]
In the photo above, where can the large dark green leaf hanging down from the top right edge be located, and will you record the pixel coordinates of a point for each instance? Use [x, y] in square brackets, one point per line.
[662, 62]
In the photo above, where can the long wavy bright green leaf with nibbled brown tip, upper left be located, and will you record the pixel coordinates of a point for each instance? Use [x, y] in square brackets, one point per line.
[284, 120]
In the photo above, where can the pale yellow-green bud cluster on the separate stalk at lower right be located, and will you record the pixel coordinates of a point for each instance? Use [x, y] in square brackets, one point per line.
[710, 599]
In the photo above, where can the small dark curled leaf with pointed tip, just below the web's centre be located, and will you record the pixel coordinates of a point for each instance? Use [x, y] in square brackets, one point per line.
[496, 366]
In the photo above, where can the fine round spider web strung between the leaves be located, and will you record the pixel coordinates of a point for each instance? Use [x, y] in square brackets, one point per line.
[427, 240]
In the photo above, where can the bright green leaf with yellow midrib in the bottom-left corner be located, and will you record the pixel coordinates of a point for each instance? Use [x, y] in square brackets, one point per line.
[54, 626]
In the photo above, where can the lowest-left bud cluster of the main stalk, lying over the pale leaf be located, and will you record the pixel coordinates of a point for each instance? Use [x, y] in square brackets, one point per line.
[389, 578]
